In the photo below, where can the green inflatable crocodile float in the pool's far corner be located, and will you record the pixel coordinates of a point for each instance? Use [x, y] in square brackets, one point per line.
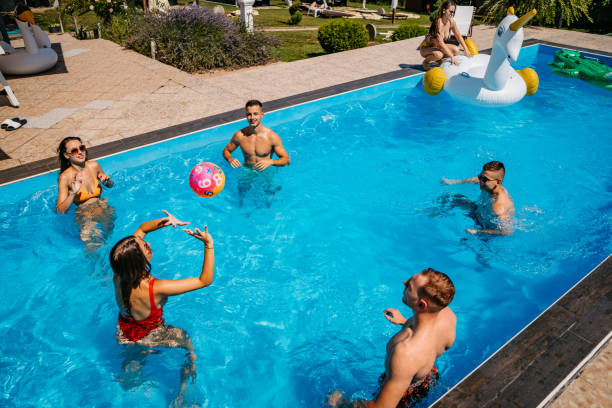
[574, 64]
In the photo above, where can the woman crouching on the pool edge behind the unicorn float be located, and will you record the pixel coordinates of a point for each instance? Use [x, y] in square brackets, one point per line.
[435, 46]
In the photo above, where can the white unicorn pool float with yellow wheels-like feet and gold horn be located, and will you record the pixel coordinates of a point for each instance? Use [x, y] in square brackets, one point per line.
[488, 80]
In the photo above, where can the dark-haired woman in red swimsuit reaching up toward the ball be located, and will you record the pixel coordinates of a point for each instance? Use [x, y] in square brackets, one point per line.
[141, 297]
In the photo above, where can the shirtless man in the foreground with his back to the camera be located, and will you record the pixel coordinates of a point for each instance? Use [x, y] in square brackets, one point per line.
[411, 353]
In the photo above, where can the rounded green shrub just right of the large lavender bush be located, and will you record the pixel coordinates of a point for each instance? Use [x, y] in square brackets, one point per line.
[341, 35]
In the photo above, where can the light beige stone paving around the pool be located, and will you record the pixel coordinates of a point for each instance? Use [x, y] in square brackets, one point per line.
[108, 96]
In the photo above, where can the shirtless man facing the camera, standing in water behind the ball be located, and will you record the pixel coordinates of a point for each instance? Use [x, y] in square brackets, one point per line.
[257, 142]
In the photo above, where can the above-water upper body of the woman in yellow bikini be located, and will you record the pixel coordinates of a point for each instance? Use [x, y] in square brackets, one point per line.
[79, 179]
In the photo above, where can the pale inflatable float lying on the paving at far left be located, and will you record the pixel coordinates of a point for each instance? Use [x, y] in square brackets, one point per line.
[36, 56]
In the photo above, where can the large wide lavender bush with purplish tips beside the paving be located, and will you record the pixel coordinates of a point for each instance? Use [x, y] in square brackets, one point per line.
[196, 39]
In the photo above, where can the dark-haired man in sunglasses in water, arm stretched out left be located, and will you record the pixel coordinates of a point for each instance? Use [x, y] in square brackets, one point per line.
[495, 207]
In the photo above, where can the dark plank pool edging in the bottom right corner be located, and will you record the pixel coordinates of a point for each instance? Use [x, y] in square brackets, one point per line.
[477, 375]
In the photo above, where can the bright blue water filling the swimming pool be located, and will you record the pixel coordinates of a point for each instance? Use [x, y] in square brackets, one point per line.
[303, 274]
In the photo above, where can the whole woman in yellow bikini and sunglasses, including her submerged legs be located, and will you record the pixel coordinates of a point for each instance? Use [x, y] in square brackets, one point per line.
[79, 183]
